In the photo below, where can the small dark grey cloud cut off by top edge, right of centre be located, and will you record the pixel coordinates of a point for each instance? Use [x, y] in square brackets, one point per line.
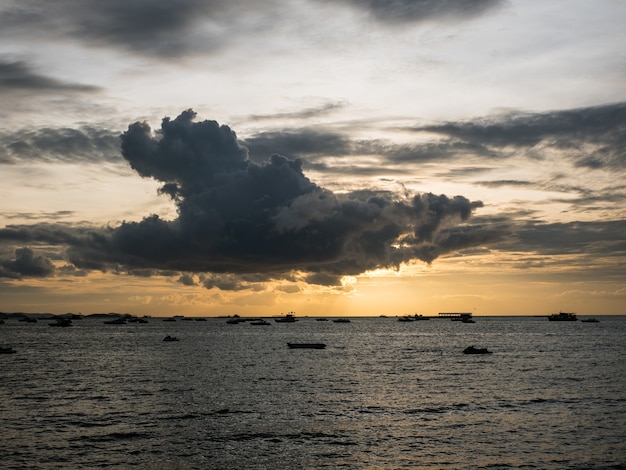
[404, 11]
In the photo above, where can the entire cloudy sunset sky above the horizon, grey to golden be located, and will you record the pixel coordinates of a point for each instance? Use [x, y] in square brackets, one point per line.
[326, 157]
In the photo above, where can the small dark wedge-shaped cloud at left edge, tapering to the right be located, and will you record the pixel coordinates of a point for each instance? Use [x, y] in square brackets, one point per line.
[18, 75]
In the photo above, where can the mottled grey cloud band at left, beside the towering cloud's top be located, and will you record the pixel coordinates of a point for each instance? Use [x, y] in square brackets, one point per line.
[85, 144]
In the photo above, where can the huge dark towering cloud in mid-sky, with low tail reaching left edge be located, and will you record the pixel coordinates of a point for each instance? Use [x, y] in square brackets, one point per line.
[240, 217]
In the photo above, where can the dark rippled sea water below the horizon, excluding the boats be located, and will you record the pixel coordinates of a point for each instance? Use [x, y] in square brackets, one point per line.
[383, 394]
